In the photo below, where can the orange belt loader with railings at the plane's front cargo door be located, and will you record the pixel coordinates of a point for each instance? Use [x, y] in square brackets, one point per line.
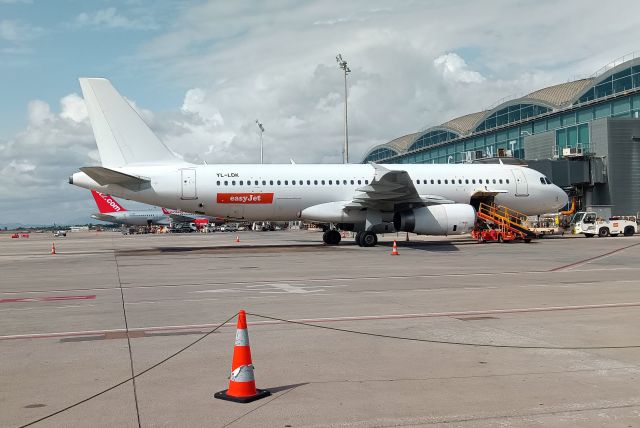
[502, 224]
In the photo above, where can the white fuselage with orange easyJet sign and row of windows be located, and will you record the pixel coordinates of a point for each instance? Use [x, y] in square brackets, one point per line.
[281, 192]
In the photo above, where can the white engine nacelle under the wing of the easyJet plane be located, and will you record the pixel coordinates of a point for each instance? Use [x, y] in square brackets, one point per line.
[444, 219]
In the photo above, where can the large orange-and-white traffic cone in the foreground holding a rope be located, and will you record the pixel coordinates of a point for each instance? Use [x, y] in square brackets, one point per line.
[242, 384]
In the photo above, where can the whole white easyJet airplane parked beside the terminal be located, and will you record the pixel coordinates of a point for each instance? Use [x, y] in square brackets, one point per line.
[429, 199]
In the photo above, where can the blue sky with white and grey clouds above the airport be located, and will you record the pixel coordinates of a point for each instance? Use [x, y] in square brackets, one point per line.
[201, 73]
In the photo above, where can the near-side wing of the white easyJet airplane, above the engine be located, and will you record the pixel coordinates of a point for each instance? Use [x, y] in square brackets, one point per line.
[391, 187]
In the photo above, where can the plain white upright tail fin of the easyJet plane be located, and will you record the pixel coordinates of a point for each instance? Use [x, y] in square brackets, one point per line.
[122, 136]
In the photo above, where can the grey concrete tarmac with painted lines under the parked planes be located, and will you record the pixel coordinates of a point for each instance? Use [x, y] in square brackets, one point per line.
[450, 333]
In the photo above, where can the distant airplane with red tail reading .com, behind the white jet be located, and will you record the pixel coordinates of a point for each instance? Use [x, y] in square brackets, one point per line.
[111, 211]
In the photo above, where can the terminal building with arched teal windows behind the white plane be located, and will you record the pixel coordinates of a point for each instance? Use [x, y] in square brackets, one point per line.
[584, 135]
